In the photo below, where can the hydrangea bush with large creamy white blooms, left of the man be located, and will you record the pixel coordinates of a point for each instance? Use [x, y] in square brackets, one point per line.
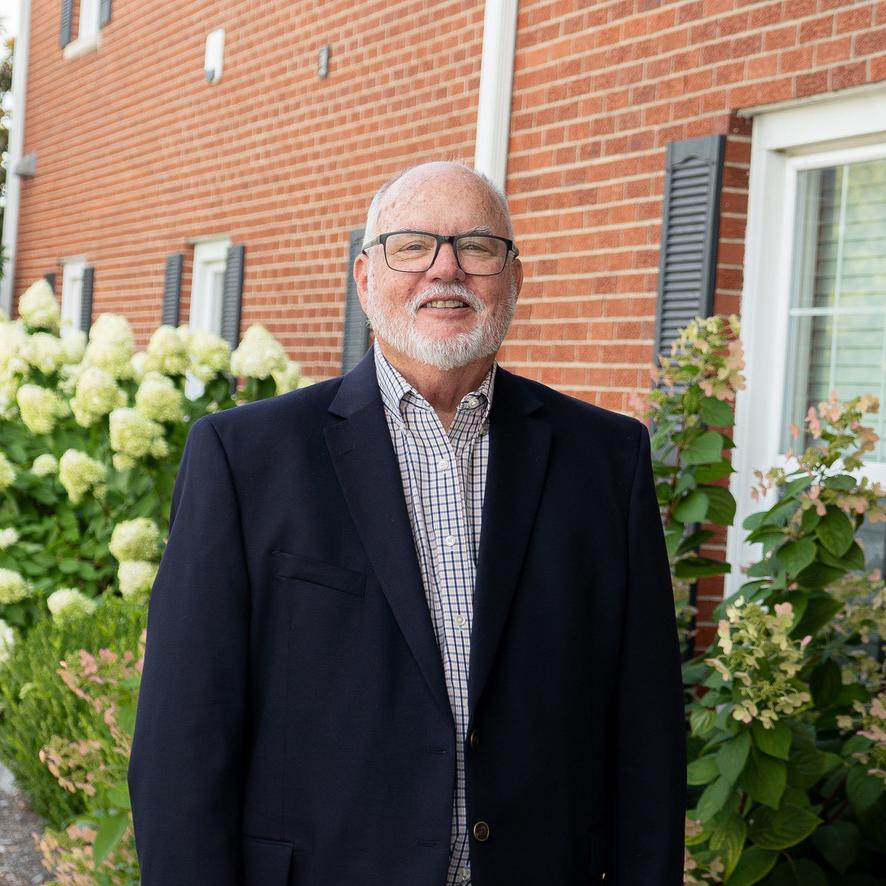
[91, 434]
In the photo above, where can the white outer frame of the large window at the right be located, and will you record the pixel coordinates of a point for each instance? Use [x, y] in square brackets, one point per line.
[784, 142]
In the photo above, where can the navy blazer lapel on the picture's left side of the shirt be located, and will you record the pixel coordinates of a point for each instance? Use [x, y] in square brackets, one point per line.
[367, 469]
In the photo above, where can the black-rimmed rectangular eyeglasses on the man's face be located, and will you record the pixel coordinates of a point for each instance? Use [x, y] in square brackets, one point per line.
[414, 252]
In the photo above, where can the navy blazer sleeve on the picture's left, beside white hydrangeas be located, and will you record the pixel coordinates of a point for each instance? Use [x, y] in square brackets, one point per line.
[185, 772]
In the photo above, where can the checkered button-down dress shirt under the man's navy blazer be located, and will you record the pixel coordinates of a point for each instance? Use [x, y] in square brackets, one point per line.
[444, 478]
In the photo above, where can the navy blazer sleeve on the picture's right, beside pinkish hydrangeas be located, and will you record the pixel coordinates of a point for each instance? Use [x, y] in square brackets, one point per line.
[650, 734]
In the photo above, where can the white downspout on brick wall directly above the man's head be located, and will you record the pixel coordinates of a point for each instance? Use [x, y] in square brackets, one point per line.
[496, 82]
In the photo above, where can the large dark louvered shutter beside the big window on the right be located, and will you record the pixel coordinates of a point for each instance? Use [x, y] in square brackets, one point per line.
[689, 235]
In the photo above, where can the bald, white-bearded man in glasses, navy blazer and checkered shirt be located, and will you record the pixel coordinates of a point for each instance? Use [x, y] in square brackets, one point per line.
[414, 626]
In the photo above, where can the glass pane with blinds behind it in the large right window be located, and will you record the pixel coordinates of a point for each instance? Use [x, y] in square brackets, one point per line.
[837, 328]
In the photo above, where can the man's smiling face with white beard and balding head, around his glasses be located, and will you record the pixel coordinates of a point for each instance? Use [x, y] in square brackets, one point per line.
[442, 317]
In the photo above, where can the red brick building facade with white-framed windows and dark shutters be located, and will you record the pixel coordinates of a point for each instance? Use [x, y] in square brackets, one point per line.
[148, 189]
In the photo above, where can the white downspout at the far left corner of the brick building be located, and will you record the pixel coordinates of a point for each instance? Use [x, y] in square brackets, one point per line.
[16, 146]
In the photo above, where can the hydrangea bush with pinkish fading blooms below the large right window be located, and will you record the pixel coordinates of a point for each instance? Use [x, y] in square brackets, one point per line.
[786, 713]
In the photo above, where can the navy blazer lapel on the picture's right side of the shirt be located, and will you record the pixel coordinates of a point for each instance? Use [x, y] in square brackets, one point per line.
[518, 458]
